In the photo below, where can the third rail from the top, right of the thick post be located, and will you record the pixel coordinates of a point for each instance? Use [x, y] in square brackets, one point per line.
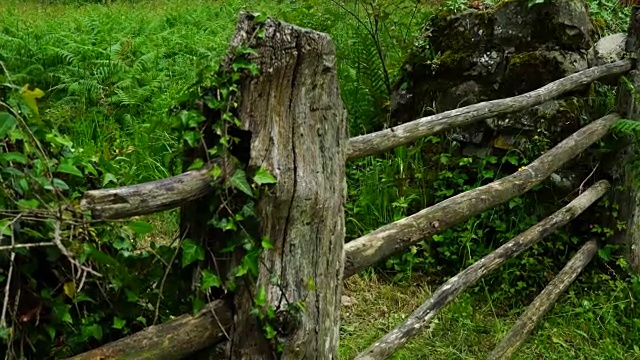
[420, 318]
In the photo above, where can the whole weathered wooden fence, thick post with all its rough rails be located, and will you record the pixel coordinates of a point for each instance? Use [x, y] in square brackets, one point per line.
[299, 133]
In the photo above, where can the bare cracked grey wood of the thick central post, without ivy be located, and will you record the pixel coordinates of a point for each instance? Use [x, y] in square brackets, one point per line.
[298, 125]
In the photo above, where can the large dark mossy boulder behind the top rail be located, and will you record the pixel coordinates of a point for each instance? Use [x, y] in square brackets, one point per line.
[505, 51]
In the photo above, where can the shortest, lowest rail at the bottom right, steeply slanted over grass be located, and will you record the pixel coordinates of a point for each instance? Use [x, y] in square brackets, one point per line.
[543, 302]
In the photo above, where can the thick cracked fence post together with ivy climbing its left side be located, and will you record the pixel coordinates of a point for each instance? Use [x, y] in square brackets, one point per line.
[274, 239]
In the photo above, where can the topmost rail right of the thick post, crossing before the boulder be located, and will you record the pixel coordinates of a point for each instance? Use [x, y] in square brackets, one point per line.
[375, 143]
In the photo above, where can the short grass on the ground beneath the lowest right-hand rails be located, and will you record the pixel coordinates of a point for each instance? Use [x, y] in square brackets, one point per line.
[582, 325]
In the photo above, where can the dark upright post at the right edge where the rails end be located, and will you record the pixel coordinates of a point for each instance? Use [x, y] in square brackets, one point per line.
[629, 108]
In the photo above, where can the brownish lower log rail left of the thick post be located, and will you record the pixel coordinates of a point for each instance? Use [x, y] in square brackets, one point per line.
[170, 341]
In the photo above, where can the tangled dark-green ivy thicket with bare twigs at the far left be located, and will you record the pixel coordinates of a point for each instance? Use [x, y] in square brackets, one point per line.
[85, 284]
